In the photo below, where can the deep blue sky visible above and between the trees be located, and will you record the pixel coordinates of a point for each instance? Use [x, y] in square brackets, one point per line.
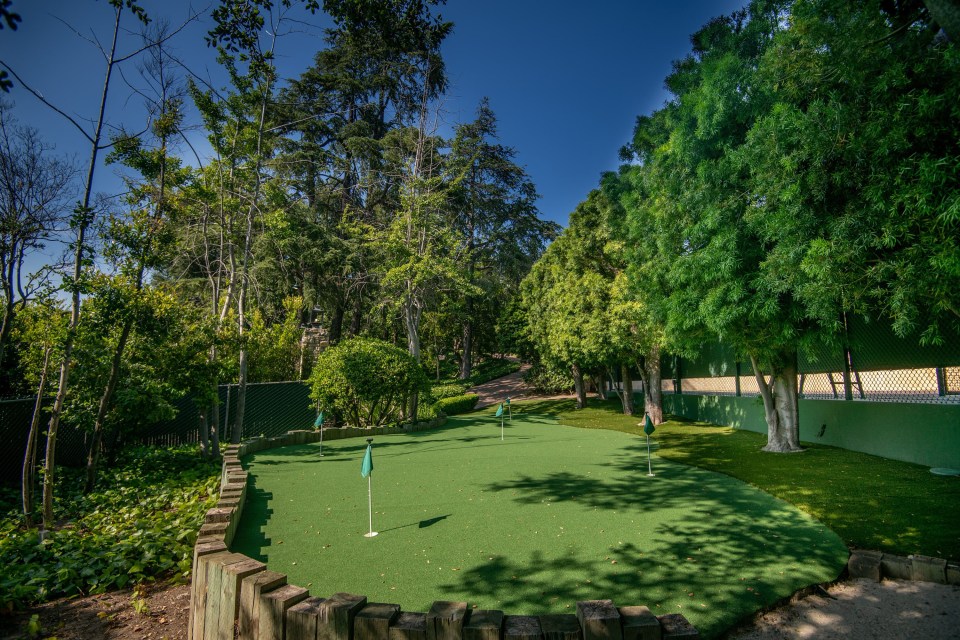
[566, 79]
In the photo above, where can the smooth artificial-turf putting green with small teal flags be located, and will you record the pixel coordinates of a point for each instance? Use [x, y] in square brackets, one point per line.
[530, 525]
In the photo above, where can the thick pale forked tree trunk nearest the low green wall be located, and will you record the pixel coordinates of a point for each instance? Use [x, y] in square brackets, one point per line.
[780, 404]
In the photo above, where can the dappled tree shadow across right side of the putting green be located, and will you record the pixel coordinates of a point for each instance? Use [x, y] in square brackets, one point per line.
[732, 551]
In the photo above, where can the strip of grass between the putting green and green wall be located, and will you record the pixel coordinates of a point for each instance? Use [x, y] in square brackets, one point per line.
[871, 502]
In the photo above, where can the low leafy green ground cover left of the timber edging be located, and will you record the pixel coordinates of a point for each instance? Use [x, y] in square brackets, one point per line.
[140, 526]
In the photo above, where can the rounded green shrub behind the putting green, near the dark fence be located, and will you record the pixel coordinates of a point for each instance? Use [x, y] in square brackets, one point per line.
[366, 382]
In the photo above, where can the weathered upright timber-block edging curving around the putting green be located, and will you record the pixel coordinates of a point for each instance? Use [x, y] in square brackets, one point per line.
[235, 596]
